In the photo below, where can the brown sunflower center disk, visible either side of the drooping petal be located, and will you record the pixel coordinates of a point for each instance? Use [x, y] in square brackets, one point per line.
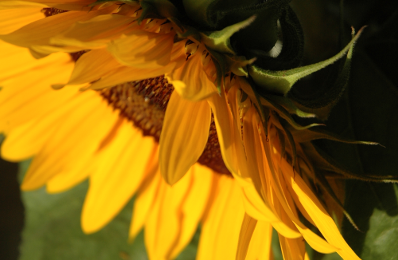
[144, 104]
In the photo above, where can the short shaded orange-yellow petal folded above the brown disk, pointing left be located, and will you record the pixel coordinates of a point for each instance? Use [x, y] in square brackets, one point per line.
[142, 49]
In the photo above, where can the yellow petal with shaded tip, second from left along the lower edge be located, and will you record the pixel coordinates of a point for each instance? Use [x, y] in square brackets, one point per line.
[58, 155]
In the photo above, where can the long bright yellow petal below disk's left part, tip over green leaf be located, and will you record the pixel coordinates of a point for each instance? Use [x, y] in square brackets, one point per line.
[119, 174]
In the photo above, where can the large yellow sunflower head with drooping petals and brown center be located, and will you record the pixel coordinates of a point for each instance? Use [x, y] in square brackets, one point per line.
[137, 100]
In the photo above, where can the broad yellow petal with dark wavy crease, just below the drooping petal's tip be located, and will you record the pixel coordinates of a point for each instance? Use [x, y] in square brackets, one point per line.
[176, 215]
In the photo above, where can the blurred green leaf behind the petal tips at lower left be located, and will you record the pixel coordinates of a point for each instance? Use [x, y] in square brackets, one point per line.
[52, 230]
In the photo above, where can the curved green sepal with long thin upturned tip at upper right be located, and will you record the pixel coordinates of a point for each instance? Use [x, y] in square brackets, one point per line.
[281, 82]
